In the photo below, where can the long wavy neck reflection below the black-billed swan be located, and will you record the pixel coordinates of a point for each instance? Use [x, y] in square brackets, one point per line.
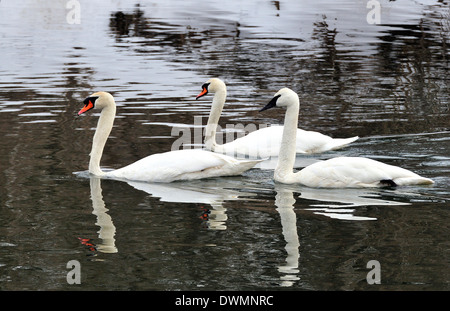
[284, 201]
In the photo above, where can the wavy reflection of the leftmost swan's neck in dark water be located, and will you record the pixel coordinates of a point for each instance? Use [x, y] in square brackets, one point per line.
[107, 228]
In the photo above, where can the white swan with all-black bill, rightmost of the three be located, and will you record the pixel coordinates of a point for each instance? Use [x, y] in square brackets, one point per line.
[340, 172]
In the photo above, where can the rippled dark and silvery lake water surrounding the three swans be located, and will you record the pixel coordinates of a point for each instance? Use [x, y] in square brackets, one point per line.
[387, 83]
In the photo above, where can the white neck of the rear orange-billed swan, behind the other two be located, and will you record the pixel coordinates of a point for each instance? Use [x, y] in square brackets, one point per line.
[218, 102]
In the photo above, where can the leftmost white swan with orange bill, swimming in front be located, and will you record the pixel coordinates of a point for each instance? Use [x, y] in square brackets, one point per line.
[161, 167]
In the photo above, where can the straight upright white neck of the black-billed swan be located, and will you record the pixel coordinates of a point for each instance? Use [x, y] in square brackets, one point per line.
[286, 158]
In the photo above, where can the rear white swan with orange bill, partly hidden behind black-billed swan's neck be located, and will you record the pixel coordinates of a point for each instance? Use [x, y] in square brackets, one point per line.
[264, 142]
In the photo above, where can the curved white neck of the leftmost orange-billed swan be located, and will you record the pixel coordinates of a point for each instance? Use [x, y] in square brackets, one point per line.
[104, 127]
